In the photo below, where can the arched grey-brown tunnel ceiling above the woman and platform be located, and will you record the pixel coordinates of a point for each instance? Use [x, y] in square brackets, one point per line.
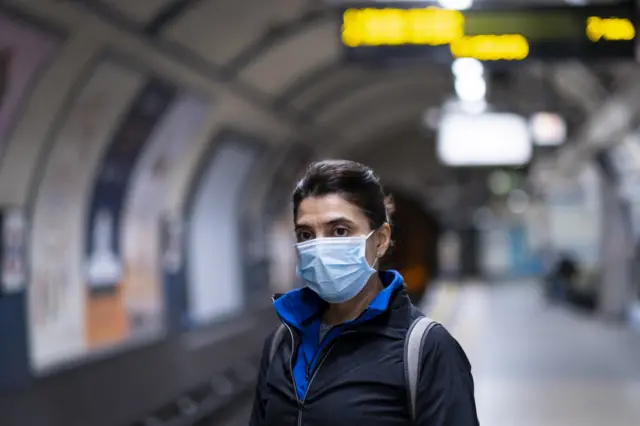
[283, 58]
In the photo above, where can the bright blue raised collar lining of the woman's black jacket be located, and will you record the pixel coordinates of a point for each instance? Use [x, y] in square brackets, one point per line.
[298, 307]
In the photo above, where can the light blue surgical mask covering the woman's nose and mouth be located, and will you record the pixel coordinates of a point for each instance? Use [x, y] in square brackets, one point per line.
[335, 268]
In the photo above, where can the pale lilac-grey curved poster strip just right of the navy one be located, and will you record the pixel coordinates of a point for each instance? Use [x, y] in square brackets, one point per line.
[144, 207]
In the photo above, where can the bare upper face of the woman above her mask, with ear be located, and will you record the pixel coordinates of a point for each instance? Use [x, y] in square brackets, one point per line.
[331, 216]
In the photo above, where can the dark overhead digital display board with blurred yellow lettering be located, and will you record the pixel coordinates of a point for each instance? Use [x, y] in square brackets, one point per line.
[382, 32]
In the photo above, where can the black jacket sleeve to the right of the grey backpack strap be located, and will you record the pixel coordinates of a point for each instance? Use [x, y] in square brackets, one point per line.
[445, 394]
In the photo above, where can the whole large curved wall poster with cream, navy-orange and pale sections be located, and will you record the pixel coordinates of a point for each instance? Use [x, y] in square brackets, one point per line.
[95, 254]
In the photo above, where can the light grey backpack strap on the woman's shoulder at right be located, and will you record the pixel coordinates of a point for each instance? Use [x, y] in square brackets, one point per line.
[412, 355]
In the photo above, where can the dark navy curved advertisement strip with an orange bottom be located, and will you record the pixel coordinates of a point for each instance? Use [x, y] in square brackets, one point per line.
[107, 319]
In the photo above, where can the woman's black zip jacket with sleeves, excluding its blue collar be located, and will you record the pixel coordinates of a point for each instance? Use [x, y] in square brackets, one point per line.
[361, 378]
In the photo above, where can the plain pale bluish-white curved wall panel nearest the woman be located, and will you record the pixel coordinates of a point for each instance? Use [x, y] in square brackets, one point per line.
[214, 265]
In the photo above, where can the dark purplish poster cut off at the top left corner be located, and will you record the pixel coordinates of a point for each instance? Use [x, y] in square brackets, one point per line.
[24, 52]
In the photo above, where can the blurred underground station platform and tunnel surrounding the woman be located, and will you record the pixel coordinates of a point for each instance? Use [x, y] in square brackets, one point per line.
[148, 150]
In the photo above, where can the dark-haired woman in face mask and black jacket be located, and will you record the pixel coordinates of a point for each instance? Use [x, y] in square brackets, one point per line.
[341, 360]
